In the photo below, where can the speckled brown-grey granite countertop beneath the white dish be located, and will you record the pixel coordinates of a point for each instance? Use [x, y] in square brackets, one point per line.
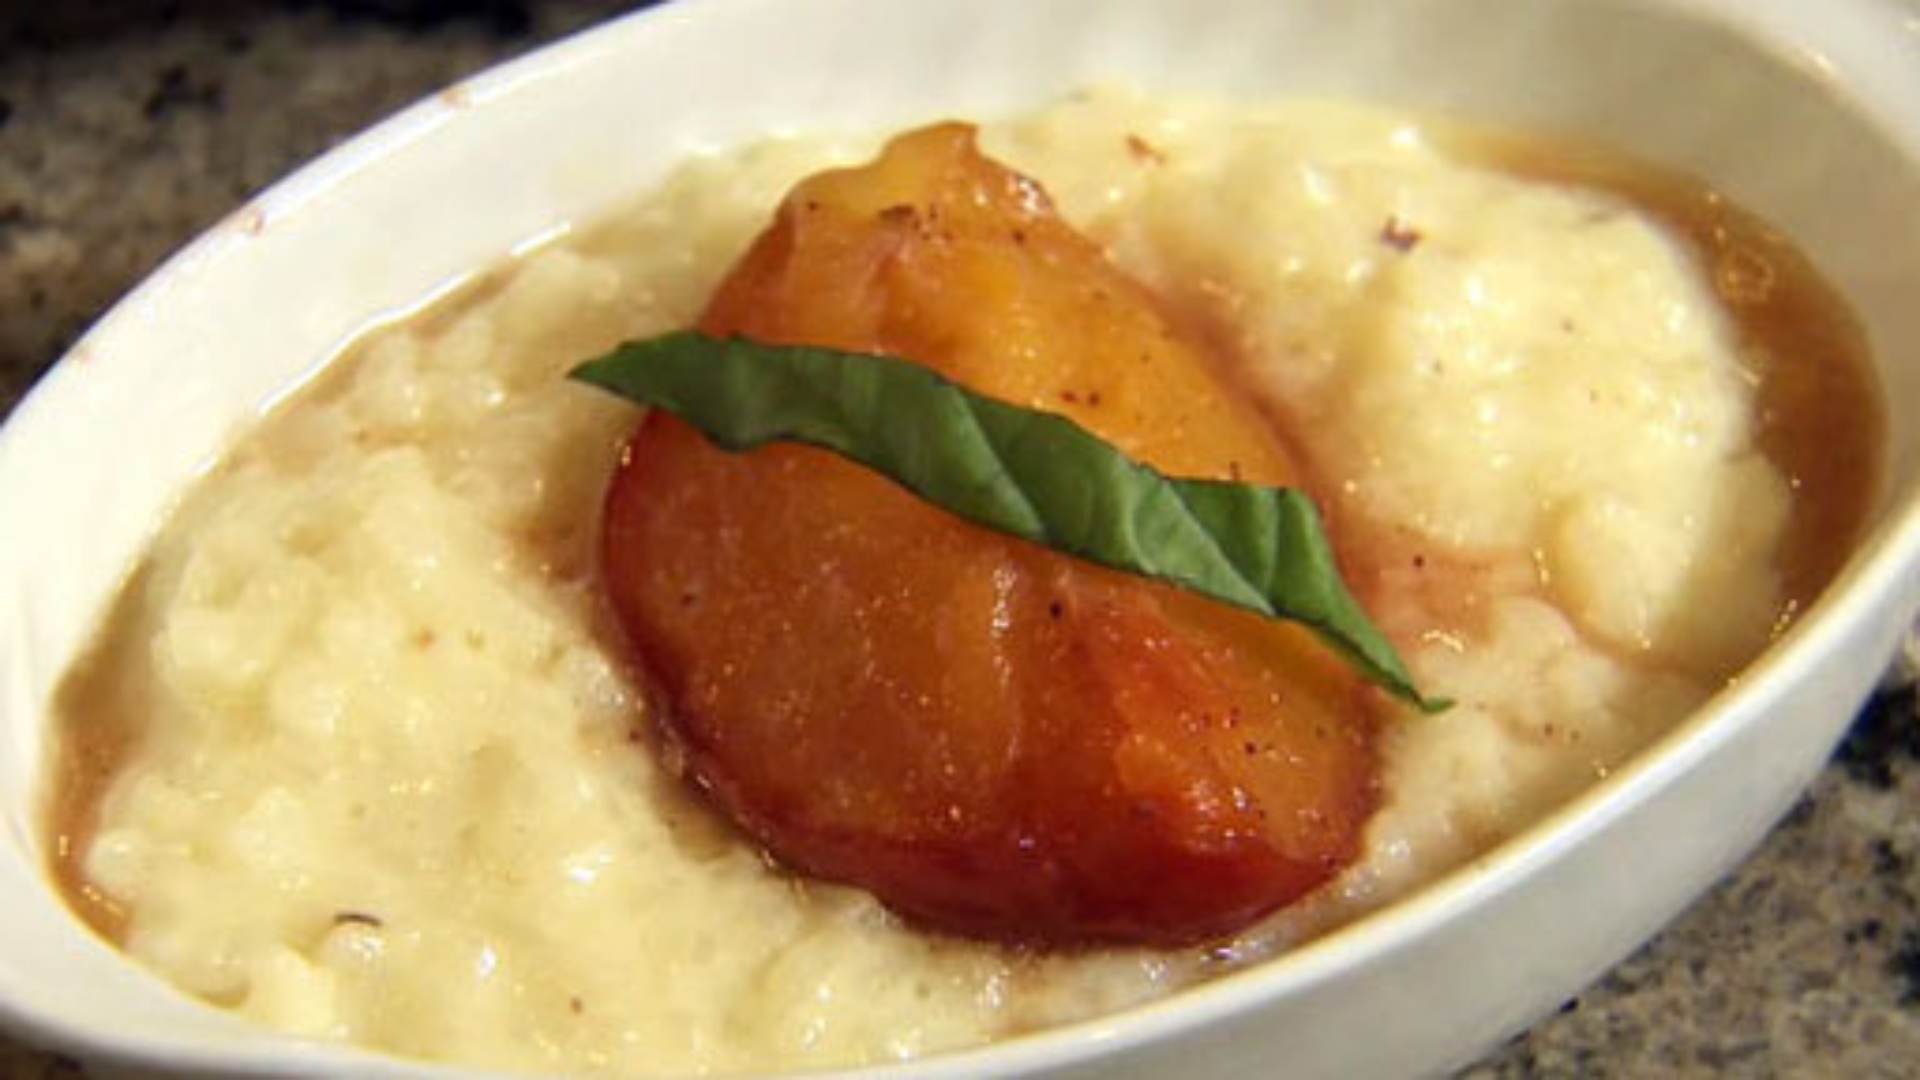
[132, 126]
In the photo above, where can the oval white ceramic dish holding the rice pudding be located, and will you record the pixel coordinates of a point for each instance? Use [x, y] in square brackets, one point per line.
[1806, 112]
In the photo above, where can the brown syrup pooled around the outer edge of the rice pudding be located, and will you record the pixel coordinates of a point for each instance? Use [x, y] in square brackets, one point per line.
[1819, 420]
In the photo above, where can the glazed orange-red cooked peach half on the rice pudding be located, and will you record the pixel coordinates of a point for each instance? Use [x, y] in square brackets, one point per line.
[994, 739]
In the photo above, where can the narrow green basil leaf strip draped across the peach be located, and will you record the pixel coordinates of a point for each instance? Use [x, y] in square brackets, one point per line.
[1026, 474]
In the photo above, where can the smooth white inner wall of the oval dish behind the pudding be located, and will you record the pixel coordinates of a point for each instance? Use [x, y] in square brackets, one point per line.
[1808, 118]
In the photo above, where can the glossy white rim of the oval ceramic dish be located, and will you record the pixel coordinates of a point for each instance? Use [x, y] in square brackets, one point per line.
[1883, 562]
